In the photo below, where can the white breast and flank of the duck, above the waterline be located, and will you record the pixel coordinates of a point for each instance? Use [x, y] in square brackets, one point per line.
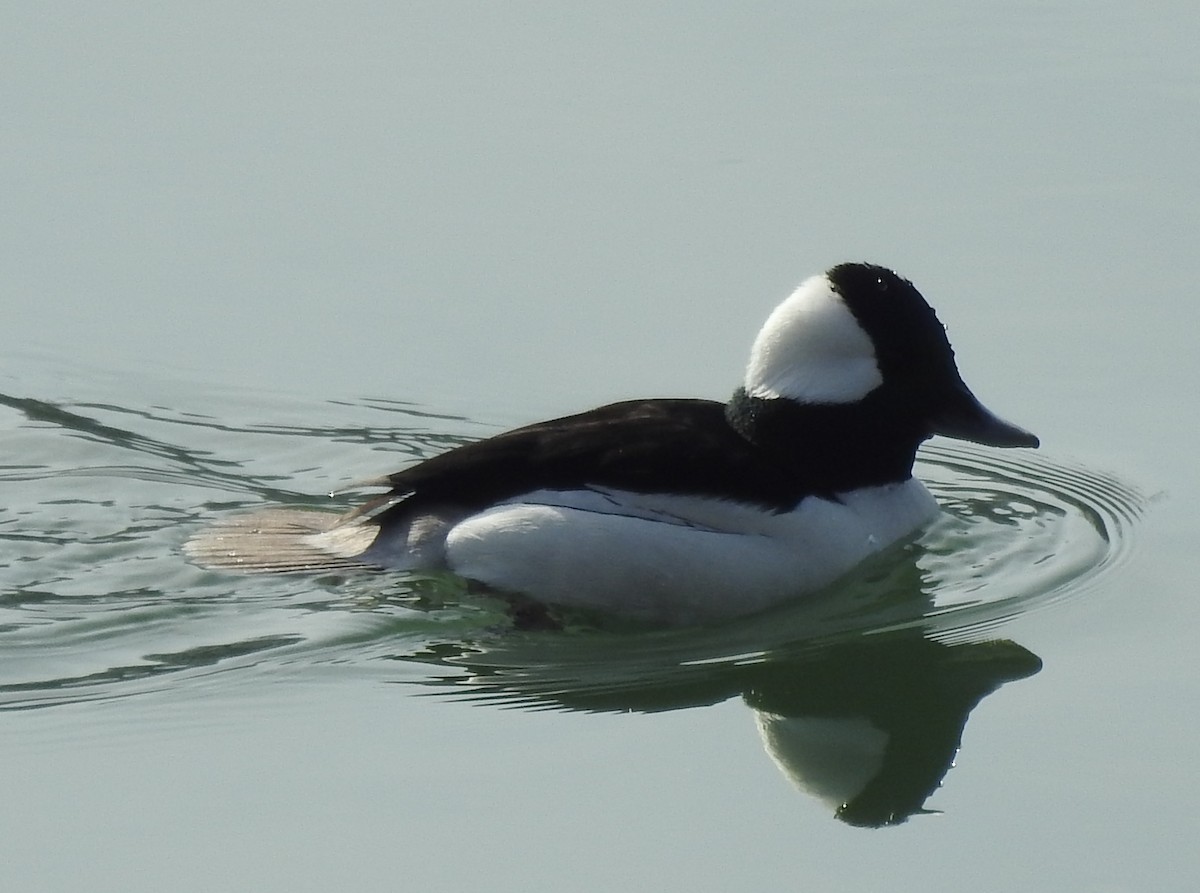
[677, 560]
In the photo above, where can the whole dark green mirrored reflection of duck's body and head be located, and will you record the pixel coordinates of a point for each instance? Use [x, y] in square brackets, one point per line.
[860, 696]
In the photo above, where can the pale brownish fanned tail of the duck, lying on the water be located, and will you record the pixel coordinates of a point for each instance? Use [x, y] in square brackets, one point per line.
[281, 541]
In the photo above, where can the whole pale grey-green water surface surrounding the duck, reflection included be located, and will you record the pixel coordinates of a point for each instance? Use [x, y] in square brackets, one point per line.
[255, 255]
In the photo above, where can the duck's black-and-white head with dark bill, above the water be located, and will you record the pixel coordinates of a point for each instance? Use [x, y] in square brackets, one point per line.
[861, 332]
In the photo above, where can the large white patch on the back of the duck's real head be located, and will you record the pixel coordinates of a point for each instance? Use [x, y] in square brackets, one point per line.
[813, 350]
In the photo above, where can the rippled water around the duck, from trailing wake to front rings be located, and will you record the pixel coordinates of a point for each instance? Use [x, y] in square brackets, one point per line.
[98, 602]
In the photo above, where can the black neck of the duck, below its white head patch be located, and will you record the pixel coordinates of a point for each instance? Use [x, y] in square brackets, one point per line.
[839, 447]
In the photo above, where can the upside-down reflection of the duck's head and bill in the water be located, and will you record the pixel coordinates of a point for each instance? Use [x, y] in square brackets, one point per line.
[873, 729]
